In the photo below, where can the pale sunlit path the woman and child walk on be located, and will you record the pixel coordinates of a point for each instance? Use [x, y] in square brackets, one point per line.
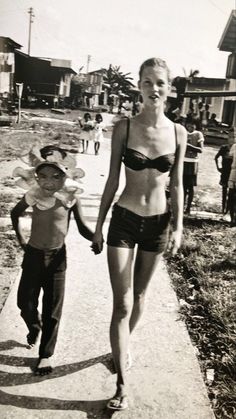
[165, 382]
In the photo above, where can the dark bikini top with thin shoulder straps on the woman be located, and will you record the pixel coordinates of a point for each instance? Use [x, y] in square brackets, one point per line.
[135, 160]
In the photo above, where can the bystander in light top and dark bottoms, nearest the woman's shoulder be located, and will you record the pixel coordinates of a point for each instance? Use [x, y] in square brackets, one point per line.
[194, 146]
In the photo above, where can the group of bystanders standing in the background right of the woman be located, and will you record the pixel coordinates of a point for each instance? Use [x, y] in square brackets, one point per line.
[197, 119]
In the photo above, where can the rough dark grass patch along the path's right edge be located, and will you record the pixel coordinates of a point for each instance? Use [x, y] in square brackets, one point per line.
[203, 276]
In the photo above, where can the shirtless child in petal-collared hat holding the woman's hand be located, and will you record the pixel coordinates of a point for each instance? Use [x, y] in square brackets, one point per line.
[44, 262]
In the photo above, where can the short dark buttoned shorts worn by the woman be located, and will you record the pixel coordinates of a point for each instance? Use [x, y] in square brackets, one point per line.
[127, 229]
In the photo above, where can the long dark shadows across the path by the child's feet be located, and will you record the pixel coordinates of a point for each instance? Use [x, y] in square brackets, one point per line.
[93, 408]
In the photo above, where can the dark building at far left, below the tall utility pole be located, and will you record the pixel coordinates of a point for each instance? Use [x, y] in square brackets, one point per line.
[42, 78]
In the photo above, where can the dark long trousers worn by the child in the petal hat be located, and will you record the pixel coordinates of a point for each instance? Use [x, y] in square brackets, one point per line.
[42, 270]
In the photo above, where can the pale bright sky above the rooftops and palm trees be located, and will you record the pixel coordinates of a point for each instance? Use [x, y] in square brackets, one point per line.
[185, 33]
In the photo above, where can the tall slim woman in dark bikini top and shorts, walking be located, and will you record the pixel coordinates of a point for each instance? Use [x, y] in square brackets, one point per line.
[152, 149]
